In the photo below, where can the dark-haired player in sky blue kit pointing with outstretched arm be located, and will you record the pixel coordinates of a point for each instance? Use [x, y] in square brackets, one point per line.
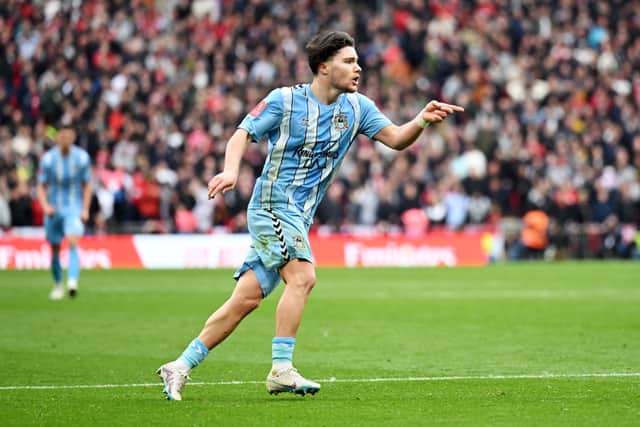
[309, 128]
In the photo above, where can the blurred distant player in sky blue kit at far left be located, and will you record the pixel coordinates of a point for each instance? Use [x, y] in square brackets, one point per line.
[64, 192]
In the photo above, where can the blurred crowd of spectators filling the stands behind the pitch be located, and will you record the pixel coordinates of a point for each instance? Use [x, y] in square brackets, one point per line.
[551, 91]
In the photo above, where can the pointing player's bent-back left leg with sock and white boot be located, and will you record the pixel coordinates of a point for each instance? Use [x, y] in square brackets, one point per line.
[245, 298]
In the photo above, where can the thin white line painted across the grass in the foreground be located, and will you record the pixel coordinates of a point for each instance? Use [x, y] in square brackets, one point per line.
[352, 380]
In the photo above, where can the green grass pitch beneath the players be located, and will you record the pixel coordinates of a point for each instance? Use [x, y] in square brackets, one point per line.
[527, 344]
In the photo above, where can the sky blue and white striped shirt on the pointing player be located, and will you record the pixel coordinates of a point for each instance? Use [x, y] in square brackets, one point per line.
[307, 143]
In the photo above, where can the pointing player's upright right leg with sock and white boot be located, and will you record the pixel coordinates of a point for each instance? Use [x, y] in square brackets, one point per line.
[299, 277]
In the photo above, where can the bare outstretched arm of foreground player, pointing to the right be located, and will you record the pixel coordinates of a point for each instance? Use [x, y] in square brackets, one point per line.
[400, 137]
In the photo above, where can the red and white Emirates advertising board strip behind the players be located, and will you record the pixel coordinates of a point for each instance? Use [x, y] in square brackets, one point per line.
[228, 251]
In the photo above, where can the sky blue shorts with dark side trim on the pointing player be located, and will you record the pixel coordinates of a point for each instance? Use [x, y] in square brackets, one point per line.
[277, 236]
